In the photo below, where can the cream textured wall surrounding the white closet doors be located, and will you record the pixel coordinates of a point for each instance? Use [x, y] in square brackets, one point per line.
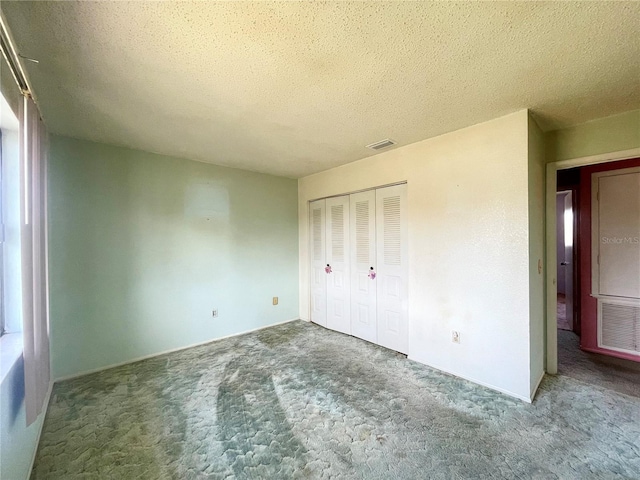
[468, 214]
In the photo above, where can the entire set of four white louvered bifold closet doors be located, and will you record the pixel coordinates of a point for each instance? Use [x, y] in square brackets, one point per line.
[359, 268]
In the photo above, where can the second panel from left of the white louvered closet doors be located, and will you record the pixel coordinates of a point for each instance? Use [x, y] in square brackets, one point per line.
[337, 259]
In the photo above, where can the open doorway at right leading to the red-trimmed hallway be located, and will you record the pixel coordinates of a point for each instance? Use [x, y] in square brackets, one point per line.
[584, 334]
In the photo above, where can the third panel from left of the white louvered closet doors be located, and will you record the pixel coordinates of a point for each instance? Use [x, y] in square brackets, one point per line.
[363, 259]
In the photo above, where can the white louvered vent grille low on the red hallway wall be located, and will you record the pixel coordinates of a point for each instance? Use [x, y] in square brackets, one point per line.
[619, 325]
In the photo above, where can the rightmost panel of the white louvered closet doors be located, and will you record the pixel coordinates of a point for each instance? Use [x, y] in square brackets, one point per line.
[392, 273]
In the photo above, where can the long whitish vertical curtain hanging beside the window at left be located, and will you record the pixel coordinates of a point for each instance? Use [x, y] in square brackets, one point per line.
[35, 298]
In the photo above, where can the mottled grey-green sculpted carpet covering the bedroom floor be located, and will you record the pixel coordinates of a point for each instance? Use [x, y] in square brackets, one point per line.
[299, 401]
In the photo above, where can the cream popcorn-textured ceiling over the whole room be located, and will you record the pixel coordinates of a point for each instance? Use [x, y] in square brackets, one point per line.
[293, 88]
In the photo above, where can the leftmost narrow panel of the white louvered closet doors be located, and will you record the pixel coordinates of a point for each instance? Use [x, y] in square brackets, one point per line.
[318, 263]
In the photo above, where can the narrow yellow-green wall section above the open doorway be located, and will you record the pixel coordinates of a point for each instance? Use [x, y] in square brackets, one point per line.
[609, 134]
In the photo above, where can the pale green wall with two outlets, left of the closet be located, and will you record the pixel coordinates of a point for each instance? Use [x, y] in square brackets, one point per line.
[142, 247]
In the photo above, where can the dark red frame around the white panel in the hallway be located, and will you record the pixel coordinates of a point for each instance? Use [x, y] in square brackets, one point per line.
[588, 304]
